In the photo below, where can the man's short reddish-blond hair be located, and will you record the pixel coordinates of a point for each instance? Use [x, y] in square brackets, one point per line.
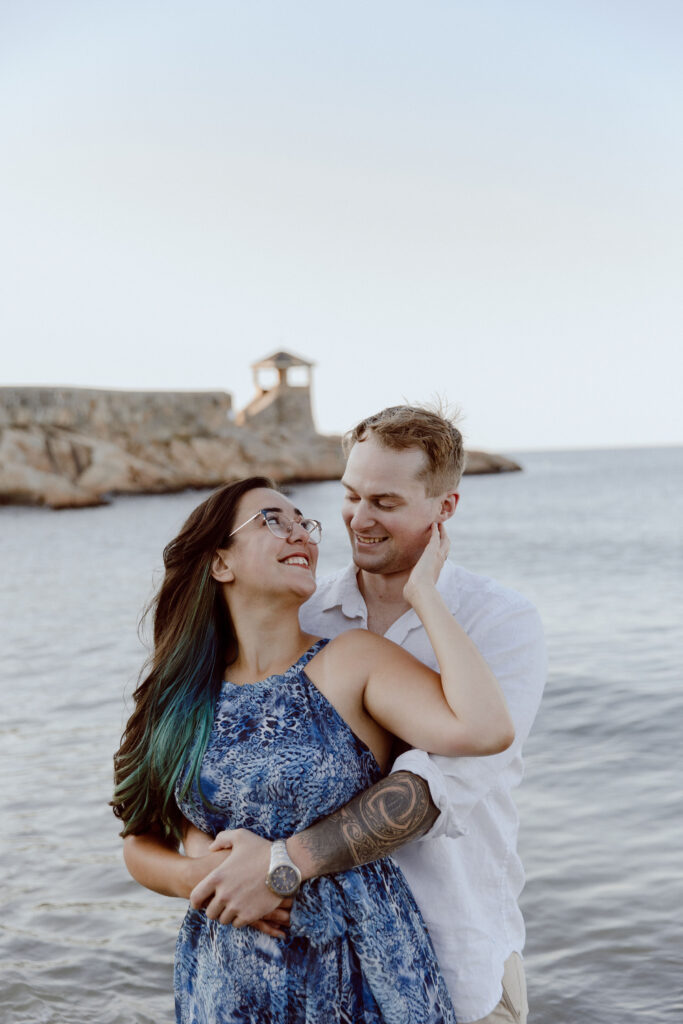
[402, 428]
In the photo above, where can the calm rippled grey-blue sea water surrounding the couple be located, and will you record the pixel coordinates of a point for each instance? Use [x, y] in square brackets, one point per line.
[594, 538]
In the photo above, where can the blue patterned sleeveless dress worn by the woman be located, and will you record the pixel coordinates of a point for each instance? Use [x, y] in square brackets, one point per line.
[280, 758]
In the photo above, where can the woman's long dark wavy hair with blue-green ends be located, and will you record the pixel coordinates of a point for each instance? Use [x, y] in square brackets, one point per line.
[194, 642]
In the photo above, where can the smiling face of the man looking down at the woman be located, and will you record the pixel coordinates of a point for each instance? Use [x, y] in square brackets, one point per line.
[387, 509]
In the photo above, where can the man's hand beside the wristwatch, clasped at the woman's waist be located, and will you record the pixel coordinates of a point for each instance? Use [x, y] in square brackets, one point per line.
[236, 892]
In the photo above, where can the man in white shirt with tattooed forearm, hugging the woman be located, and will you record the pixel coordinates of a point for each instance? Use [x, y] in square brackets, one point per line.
[402, 476]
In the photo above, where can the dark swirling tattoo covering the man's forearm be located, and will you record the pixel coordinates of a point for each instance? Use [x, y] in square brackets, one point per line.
[373, 825]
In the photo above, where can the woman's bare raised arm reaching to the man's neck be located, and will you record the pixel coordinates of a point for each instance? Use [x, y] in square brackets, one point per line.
[463, 712]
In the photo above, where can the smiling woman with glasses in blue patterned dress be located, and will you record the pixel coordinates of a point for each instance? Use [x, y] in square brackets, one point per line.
[244, 721]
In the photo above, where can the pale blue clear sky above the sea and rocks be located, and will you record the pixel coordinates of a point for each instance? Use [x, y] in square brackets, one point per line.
[476, 202]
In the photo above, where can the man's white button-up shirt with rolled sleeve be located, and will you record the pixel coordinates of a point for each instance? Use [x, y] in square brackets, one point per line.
[465, 873]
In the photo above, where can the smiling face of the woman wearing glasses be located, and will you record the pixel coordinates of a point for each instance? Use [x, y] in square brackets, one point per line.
[261, 561]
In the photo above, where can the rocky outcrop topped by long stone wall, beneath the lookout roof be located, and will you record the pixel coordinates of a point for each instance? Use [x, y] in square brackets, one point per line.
[69, 448]
